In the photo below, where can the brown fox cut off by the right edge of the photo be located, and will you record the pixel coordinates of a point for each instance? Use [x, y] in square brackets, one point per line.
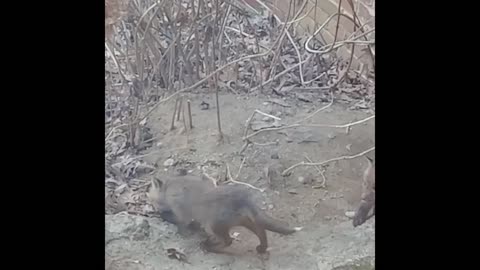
[368, 195]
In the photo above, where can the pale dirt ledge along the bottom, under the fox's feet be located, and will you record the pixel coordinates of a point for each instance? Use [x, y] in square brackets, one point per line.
[134, 242]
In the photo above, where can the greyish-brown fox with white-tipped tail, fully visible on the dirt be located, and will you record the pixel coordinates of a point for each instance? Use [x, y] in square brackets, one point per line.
[192, 200]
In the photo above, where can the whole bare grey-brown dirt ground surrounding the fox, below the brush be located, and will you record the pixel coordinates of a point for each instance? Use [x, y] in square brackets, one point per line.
[328, 239]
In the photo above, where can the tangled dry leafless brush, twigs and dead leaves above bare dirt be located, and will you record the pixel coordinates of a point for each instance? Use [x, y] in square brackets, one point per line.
[160, 51]
